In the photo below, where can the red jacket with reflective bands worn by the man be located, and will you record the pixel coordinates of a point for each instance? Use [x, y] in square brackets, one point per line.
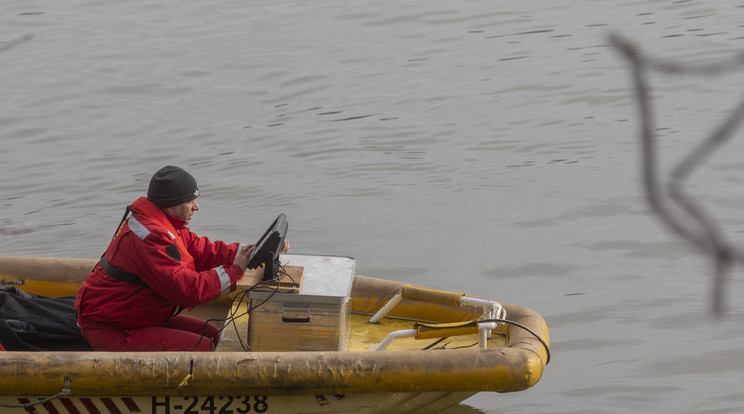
[178, 268]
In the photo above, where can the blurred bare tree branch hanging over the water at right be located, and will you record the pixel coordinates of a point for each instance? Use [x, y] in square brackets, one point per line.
[689, 219]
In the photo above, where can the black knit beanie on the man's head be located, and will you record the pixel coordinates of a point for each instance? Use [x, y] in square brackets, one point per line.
[171, 186]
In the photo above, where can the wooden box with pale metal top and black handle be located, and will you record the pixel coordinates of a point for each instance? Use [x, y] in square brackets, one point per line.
[315, 318]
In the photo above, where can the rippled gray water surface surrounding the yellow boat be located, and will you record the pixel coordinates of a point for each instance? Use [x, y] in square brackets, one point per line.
[477, 146]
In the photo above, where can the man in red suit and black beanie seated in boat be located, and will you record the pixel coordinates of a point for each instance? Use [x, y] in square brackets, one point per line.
[153, 267]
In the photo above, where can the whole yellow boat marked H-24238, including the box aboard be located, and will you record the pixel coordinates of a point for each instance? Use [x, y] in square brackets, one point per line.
[320, 340]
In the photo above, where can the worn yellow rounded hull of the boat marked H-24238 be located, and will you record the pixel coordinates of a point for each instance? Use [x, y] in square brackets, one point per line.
[397, 381]
